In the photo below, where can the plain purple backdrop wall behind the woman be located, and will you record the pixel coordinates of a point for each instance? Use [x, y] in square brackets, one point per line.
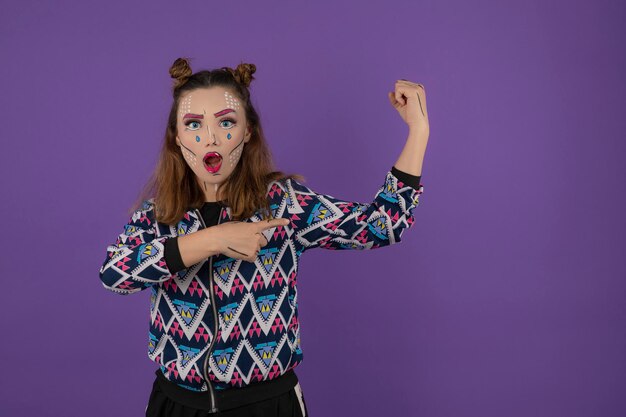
[506, 298]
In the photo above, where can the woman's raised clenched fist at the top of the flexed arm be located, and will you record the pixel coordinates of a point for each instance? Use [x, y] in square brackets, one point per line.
[410, 101]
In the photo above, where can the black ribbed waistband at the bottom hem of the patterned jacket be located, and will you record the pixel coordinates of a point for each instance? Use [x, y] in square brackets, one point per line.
[228, 398]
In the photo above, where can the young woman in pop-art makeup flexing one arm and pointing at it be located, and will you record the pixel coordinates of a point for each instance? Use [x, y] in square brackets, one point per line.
[217, 237]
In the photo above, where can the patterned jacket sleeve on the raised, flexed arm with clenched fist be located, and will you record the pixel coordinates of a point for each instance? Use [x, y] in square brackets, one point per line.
[327, 222]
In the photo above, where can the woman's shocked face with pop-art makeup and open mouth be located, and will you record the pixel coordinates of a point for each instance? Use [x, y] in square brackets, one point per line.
[212, 132]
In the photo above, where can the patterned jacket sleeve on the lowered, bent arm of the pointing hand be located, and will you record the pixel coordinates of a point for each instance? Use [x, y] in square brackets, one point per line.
[137, 258]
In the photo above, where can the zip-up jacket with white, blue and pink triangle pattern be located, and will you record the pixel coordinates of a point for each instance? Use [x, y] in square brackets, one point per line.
[239, 324]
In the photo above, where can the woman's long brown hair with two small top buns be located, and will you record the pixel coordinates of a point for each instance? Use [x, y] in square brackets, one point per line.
[173, 184]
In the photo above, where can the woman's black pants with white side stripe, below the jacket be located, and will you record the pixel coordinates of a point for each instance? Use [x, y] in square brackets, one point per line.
[287, 404]
